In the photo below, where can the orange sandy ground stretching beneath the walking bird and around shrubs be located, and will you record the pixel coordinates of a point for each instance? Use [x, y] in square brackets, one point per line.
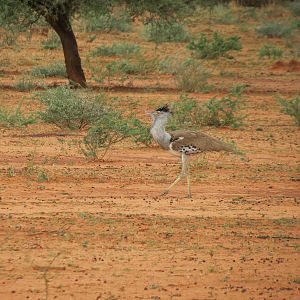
[99, 230]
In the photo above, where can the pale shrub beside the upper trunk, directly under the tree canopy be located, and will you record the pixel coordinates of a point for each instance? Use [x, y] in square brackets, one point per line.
[107, 22]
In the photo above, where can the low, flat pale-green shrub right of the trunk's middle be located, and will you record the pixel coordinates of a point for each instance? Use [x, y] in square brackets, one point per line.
[117, 49]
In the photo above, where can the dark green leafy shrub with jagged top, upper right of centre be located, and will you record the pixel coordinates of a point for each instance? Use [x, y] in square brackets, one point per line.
[216, 47]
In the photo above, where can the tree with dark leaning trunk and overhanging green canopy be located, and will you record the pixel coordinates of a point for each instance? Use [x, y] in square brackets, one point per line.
[58, 14]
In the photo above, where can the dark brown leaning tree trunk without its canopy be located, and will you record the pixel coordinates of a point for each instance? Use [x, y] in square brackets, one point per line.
[62, 26]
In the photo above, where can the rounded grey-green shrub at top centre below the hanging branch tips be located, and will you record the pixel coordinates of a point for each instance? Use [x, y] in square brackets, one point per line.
[165, 31]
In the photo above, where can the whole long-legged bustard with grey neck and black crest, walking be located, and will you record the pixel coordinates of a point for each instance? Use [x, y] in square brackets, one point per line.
[182, 142]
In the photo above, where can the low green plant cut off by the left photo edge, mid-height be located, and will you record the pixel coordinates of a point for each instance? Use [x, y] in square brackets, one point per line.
[15, 119]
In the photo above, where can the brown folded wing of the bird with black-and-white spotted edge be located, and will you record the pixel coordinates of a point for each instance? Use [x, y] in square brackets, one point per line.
[194, 142]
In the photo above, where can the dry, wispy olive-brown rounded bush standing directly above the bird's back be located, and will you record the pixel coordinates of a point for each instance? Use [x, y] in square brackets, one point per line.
[190, 76]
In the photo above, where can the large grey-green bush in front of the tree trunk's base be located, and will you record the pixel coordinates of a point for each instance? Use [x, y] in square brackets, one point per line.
[67, 108]
